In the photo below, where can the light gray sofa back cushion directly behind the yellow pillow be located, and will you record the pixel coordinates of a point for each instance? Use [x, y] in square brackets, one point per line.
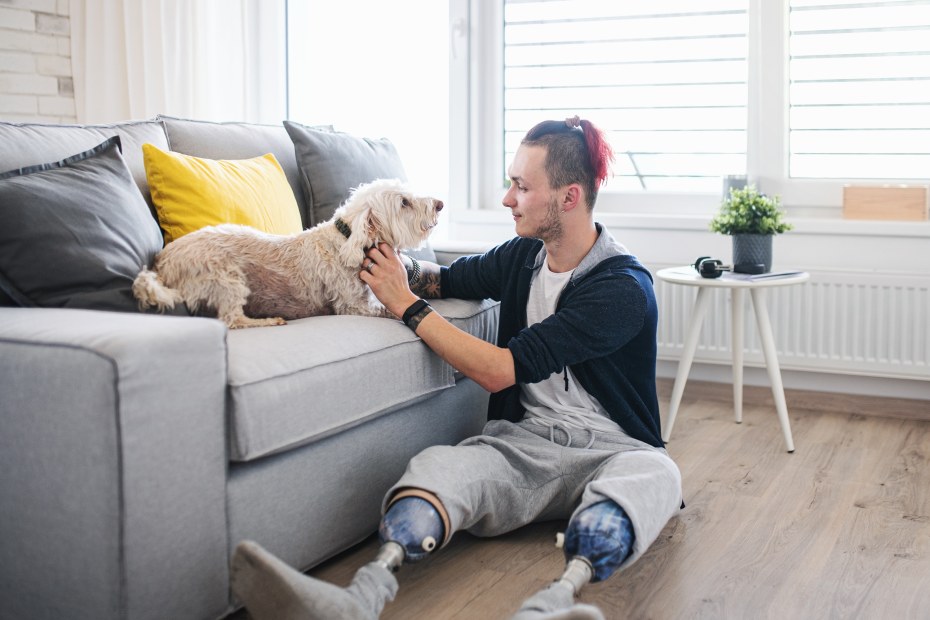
[236, 140]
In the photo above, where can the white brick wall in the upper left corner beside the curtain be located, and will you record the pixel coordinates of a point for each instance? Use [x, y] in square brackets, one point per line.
[35, 61]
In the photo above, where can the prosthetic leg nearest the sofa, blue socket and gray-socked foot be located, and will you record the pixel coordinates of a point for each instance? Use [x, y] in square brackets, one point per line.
[271, 590]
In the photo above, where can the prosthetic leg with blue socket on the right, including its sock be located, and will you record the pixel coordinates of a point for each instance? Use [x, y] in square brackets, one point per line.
[596, 543]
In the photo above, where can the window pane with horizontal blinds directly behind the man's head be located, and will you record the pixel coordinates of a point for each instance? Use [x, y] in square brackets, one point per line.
[667, 80]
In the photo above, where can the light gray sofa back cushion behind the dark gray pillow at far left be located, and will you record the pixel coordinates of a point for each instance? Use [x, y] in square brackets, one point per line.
[30, 144]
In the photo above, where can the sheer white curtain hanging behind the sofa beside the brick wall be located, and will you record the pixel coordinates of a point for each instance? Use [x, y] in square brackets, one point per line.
[206, 59]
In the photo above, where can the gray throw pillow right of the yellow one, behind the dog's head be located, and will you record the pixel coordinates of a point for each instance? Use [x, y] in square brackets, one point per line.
[332, 163]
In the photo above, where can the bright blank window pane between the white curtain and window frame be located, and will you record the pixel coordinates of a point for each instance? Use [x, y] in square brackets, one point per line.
[367, 68]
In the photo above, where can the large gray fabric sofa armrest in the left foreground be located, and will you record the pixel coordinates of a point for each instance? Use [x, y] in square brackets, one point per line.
[112, 465]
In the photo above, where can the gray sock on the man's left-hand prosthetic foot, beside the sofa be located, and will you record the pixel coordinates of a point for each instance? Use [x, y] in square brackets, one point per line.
[272, 590]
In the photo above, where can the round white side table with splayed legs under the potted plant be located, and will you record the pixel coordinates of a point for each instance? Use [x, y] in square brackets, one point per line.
[737, 283]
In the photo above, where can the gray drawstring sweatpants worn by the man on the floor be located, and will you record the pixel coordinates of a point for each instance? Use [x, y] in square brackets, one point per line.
[515, 474]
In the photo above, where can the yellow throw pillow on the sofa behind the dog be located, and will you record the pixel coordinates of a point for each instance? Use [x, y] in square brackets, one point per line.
[192, 192]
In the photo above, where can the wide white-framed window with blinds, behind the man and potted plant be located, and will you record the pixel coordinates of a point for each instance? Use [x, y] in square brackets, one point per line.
[801, 96]
